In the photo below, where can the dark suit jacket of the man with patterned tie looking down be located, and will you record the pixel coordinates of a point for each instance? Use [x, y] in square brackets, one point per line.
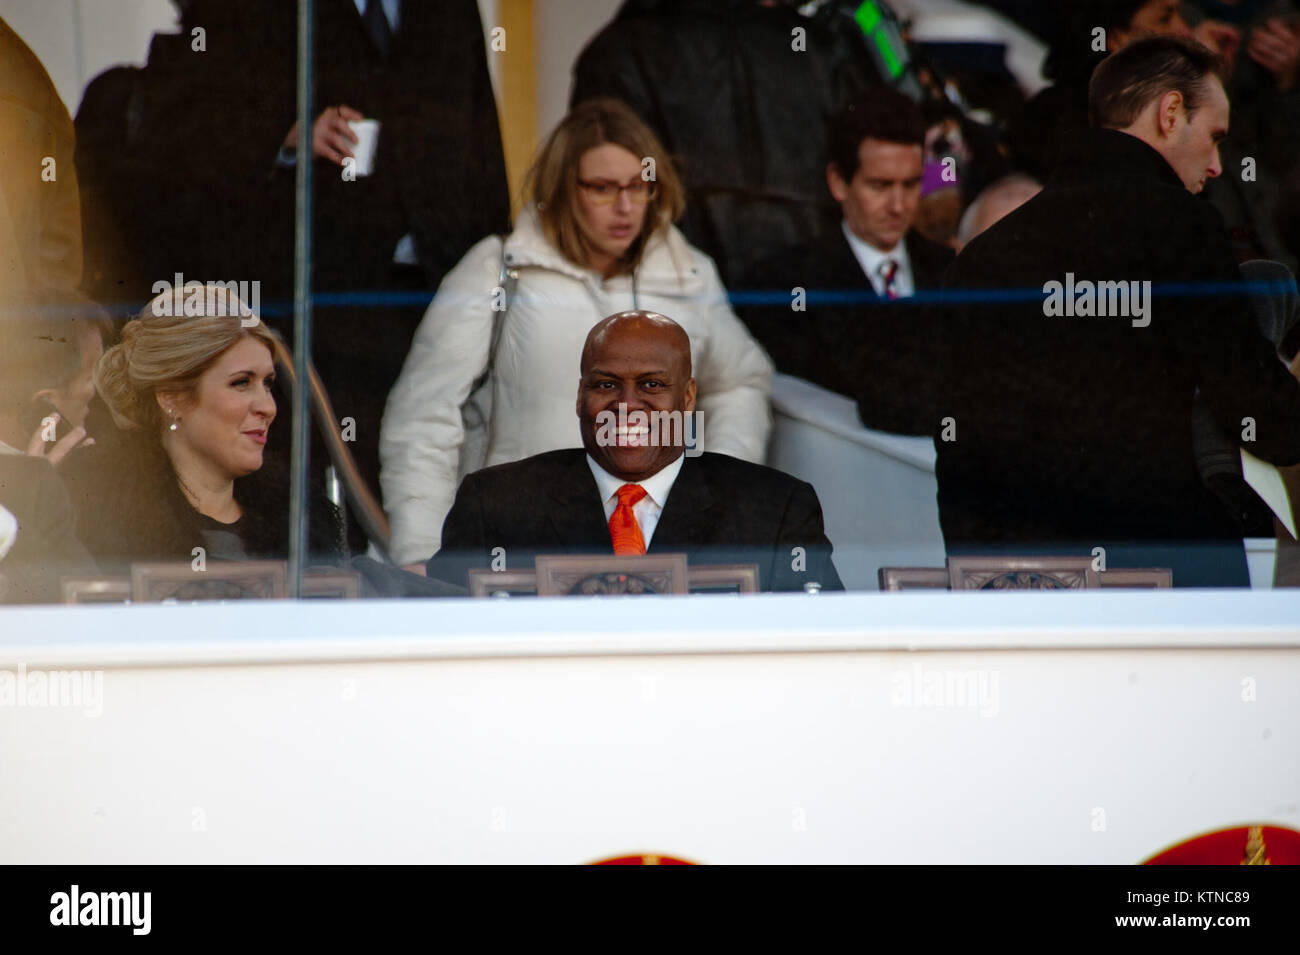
[848, 338]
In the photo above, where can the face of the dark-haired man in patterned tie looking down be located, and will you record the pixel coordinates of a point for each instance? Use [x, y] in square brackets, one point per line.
[881, 201]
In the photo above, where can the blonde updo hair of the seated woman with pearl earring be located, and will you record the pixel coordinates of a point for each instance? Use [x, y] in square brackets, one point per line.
[177, 337]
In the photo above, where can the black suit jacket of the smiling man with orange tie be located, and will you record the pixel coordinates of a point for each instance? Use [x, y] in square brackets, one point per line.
[721, 511]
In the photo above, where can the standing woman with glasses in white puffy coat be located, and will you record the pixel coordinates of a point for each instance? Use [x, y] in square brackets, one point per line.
[597, 238]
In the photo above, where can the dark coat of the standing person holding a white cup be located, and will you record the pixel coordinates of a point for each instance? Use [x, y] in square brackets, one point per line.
[228, 212]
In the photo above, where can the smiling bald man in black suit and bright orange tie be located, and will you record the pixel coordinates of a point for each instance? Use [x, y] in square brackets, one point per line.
[634, 489]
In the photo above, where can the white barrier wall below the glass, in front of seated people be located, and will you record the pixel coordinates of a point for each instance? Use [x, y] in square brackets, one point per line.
[1004, 728]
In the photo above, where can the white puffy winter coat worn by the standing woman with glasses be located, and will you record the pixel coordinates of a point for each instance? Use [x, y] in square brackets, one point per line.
[536, 375]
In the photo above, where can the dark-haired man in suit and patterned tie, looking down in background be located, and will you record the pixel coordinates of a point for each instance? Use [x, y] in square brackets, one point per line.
[855, 329]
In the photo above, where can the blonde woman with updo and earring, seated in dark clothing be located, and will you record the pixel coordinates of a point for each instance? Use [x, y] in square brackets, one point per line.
[193, 396]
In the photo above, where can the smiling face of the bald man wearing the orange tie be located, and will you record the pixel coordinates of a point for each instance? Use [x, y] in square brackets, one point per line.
[644, 364]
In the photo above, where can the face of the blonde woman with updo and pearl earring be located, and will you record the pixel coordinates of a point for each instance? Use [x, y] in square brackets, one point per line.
[223, 427]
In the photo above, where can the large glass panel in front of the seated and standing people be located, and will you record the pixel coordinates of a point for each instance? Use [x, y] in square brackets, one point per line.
[816, 390]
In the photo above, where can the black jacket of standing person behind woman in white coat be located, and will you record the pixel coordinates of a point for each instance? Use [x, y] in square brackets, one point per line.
[742, 114]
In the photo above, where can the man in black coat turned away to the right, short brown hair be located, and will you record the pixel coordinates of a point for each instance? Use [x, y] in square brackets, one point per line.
[1081, 328]
